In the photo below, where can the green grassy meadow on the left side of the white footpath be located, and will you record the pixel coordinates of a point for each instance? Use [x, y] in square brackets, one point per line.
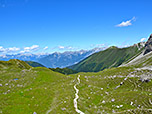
[28, 90]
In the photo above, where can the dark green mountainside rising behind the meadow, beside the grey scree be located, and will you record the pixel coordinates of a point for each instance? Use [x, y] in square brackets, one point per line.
[111, 57]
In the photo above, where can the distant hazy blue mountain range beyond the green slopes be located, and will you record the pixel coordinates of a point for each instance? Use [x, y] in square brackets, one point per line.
[55, 59]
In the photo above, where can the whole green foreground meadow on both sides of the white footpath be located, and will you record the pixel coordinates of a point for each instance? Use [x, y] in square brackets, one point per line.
[25, 90]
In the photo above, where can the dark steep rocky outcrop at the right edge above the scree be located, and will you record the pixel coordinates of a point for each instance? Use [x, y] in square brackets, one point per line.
[148, 45]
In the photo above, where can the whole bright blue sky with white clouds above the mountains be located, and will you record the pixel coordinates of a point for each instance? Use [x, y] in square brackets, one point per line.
[35, 26]
